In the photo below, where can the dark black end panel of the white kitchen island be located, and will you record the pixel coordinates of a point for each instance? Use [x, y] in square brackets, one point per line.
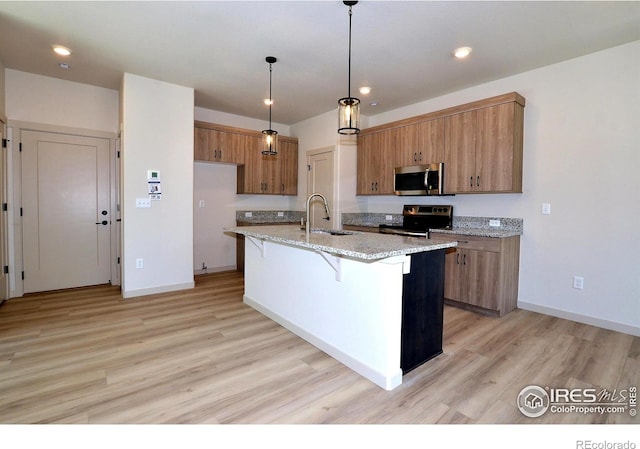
[422, 310]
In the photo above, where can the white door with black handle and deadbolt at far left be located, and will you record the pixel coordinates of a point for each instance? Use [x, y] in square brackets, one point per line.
[66, 211]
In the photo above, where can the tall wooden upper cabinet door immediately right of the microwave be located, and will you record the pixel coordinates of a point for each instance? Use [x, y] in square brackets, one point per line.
[459, 152]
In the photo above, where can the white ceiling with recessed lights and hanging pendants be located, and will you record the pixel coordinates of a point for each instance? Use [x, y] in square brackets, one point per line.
[402, 49]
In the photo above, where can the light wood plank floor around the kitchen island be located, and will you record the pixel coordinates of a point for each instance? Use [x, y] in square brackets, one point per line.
[202, 356]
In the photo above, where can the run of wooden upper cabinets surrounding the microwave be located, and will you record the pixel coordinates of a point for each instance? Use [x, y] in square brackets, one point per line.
[480, 144]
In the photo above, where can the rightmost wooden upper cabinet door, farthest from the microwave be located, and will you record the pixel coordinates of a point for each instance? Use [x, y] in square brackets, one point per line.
[495, 148]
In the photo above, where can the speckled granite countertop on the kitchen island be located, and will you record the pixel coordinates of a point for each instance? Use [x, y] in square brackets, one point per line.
[359, 245]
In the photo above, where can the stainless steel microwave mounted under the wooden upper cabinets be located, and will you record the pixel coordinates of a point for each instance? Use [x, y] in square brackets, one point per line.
[419, 179]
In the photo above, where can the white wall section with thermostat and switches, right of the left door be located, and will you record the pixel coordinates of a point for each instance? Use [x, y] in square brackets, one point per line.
[157, 134]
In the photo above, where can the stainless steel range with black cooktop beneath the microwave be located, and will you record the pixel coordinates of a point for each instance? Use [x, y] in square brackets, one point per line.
[418, 219]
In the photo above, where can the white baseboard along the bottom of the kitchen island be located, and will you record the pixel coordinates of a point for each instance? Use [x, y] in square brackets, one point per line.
[386, 382]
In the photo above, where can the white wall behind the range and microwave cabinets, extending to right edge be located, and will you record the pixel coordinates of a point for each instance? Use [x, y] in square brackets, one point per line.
[581, 139]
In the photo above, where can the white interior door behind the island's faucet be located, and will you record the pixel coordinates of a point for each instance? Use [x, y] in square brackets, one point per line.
[320, 179]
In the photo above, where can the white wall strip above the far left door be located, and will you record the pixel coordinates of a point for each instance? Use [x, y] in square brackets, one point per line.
[41, 99]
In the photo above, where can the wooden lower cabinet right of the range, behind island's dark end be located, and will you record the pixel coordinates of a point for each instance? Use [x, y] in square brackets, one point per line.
[482, 272]
